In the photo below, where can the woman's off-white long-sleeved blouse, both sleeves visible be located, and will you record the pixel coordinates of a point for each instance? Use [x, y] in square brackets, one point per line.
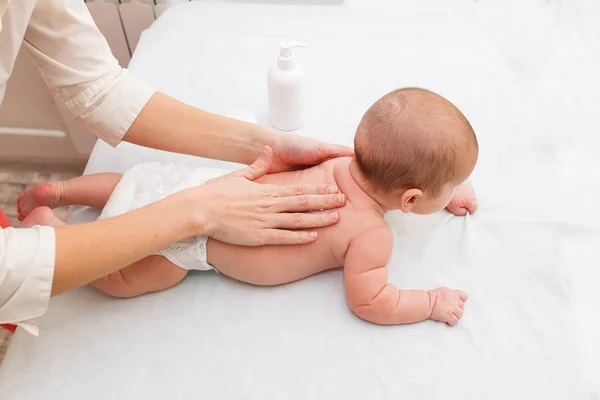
[76, 63]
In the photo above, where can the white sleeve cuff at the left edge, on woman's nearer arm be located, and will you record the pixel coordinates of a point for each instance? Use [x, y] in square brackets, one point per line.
[27, 259]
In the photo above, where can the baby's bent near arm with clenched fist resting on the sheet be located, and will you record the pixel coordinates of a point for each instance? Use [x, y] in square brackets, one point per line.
[371, 298]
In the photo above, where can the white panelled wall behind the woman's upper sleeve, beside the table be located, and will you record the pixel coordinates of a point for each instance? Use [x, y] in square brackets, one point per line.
[31, 125]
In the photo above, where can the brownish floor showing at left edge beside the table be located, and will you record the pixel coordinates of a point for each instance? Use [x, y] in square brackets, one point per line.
[14, 178]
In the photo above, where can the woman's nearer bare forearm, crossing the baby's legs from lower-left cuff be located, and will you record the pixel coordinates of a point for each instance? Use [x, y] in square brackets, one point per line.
[89, 251]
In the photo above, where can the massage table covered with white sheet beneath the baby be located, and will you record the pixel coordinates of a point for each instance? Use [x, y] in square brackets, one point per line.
[525, 73]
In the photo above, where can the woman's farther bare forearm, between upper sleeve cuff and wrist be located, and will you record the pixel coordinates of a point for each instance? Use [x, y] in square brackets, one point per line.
[168, 124]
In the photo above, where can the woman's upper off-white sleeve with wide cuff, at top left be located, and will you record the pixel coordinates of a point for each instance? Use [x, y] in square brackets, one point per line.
[76, 63]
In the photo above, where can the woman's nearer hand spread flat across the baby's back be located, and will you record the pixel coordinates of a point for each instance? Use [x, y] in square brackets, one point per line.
[239, 211]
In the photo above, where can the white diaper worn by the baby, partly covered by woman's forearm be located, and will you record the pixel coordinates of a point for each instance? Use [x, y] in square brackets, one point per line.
[149, 182]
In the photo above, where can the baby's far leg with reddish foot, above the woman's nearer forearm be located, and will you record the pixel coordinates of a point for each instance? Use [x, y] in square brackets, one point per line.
[88, 190]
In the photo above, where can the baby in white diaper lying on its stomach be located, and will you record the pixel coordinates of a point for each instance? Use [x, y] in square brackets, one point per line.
[413, 151]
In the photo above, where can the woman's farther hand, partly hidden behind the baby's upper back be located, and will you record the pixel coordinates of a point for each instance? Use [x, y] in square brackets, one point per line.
[293, 151]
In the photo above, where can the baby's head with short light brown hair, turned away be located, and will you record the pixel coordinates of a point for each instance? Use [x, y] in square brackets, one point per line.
[413, 147]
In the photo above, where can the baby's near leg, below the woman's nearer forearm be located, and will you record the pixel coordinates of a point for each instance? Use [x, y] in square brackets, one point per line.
[150, 274]
